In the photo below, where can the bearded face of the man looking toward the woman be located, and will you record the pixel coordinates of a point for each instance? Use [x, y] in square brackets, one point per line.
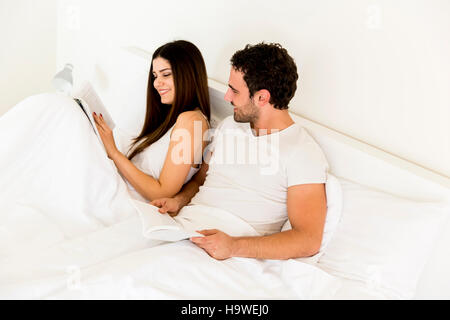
[239, 96]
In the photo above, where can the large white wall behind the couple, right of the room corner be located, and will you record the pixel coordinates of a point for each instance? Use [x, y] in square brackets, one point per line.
[376, 70]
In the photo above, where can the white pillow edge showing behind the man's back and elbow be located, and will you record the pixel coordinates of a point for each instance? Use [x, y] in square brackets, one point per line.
[334, 208]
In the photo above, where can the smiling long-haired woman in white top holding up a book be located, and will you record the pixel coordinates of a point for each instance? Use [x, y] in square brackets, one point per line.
[159, 162]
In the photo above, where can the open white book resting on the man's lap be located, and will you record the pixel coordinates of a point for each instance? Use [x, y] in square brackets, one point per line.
[158, 226]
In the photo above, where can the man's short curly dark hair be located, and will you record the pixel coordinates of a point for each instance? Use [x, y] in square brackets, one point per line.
[268, 66]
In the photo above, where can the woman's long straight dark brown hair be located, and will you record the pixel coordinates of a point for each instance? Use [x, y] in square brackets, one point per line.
[191, 92]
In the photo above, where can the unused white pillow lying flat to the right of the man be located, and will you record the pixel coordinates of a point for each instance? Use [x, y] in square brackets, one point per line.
[383, 240]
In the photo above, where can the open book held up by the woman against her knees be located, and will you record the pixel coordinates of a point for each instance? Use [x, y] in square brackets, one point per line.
[86, 97]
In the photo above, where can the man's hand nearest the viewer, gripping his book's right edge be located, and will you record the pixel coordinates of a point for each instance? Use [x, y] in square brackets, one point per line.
[216, 243]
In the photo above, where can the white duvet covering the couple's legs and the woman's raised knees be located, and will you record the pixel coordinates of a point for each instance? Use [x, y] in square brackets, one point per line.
[68, 230]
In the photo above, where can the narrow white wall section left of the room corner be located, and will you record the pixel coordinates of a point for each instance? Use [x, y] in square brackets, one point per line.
[28, 49]
